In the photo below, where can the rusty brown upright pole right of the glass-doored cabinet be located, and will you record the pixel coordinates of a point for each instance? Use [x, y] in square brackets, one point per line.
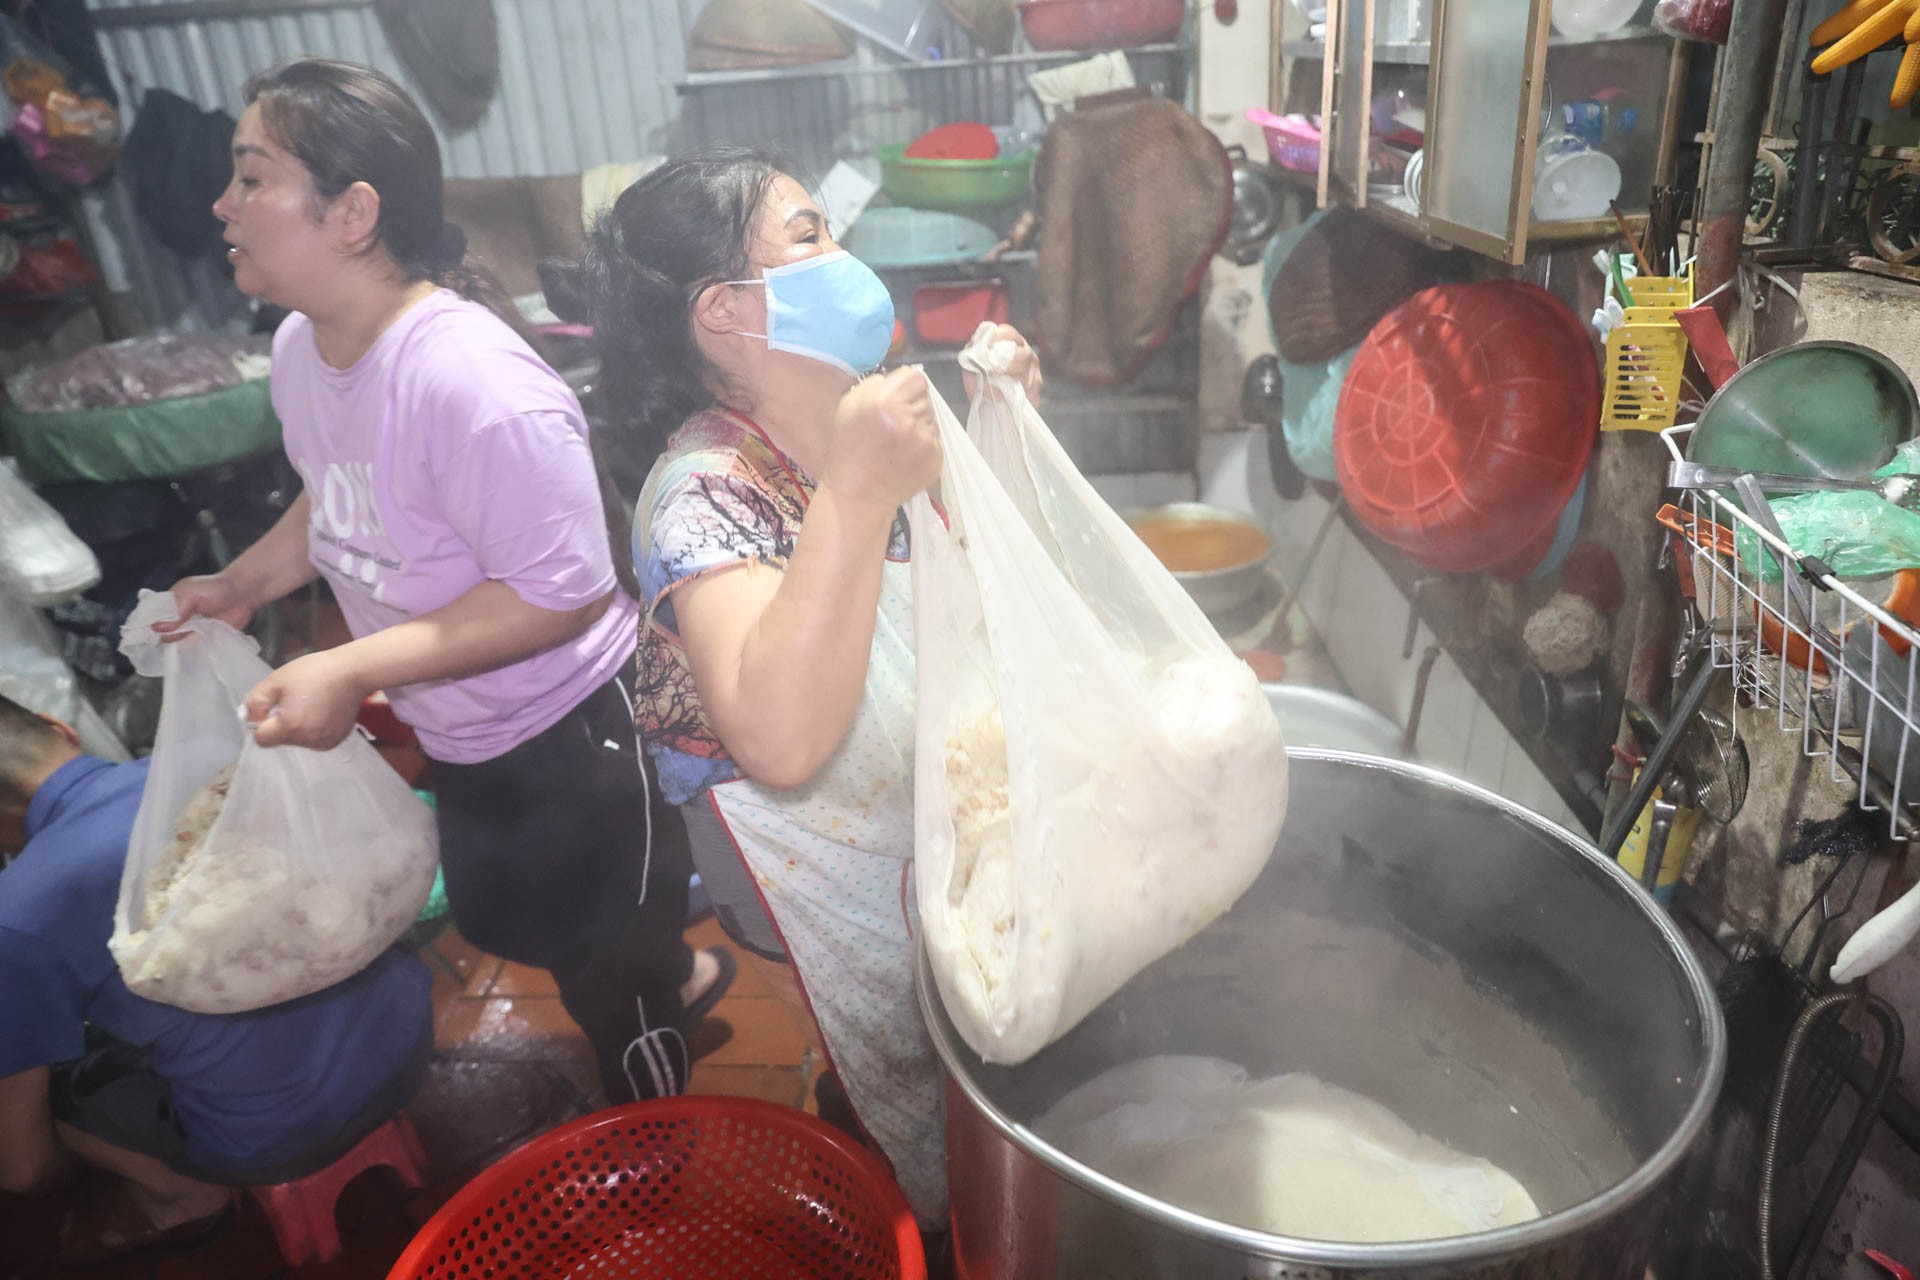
[1746, 85]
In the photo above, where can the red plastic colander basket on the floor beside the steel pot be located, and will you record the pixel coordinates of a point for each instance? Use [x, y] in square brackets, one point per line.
[684, 1189]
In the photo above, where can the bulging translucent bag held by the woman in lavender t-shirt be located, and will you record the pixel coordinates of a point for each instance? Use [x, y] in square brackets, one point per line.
[256, 874]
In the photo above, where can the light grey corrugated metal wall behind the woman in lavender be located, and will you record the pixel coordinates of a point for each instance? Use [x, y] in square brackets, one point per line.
[581, 82]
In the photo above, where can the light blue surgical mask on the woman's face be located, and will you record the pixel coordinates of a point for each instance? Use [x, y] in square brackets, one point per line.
[830, 308]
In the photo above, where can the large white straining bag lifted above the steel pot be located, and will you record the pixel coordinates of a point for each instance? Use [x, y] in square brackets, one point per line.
[1097, 776]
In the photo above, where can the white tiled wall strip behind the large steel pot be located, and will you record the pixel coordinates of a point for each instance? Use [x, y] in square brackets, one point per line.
[1362, 619]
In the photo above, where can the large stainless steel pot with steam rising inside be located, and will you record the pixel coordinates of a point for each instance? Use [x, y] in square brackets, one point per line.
[1481, 972]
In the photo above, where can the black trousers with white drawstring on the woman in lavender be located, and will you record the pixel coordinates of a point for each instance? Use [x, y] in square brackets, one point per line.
[548, 865]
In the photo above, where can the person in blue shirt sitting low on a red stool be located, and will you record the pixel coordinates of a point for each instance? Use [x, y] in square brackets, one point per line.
[176, 1106]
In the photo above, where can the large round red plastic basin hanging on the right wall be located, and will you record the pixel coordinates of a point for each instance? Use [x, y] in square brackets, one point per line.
[1466, 425]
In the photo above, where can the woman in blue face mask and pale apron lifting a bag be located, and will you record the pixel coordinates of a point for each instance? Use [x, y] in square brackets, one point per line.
[777, 667]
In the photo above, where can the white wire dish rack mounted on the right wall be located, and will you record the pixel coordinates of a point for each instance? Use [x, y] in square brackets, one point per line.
[1854, 711]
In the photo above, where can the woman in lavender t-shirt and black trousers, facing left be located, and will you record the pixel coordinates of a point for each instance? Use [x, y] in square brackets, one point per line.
[452, 506]
